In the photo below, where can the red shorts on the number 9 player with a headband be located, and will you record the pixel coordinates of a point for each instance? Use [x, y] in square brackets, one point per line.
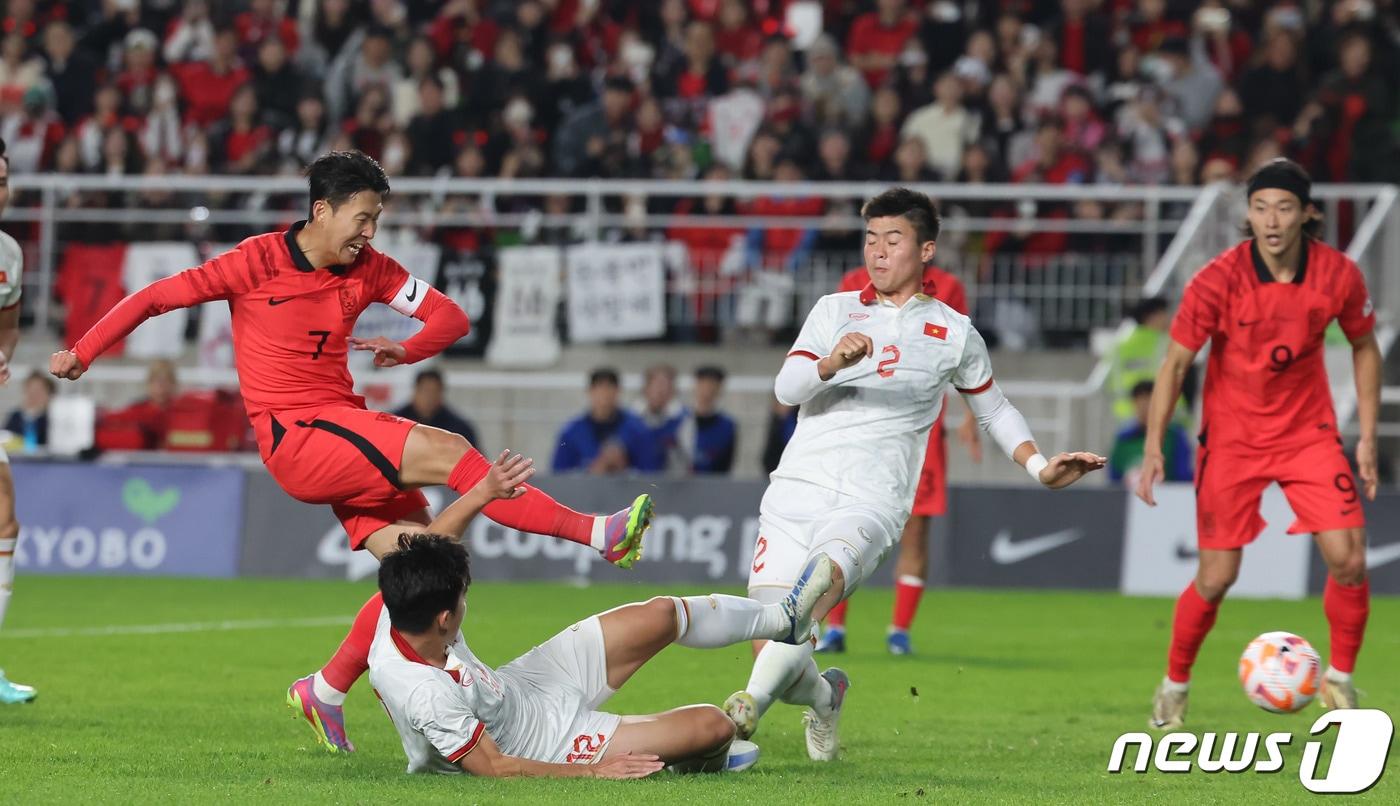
[1317, 481]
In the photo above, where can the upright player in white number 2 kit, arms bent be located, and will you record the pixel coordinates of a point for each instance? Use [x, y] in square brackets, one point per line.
[870, 372]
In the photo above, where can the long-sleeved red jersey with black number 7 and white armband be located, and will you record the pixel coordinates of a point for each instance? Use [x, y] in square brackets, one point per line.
[290, 320]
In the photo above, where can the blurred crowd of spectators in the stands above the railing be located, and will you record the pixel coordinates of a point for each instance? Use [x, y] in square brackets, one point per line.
[1114, 92]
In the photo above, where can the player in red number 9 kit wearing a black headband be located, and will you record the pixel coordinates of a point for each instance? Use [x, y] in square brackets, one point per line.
[1265, 306]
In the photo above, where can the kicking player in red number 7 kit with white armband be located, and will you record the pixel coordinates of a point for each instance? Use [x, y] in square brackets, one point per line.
[295, 299]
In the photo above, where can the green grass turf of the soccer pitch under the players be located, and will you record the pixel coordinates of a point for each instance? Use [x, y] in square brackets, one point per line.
[1011, 699]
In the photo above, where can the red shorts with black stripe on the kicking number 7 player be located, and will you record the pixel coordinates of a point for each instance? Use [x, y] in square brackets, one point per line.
[348, 458]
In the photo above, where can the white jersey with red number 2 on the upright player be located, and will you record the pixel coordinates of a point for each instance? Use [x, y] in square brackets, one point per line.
[866, 433]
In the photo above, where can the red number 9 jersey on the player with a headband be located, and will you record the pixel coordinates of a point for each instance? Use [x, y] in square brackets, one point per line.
[1266, 381]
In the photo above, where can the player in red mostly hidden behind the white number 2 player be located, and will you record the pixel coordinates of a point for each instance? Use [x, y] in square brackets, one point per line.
[930, 500]
